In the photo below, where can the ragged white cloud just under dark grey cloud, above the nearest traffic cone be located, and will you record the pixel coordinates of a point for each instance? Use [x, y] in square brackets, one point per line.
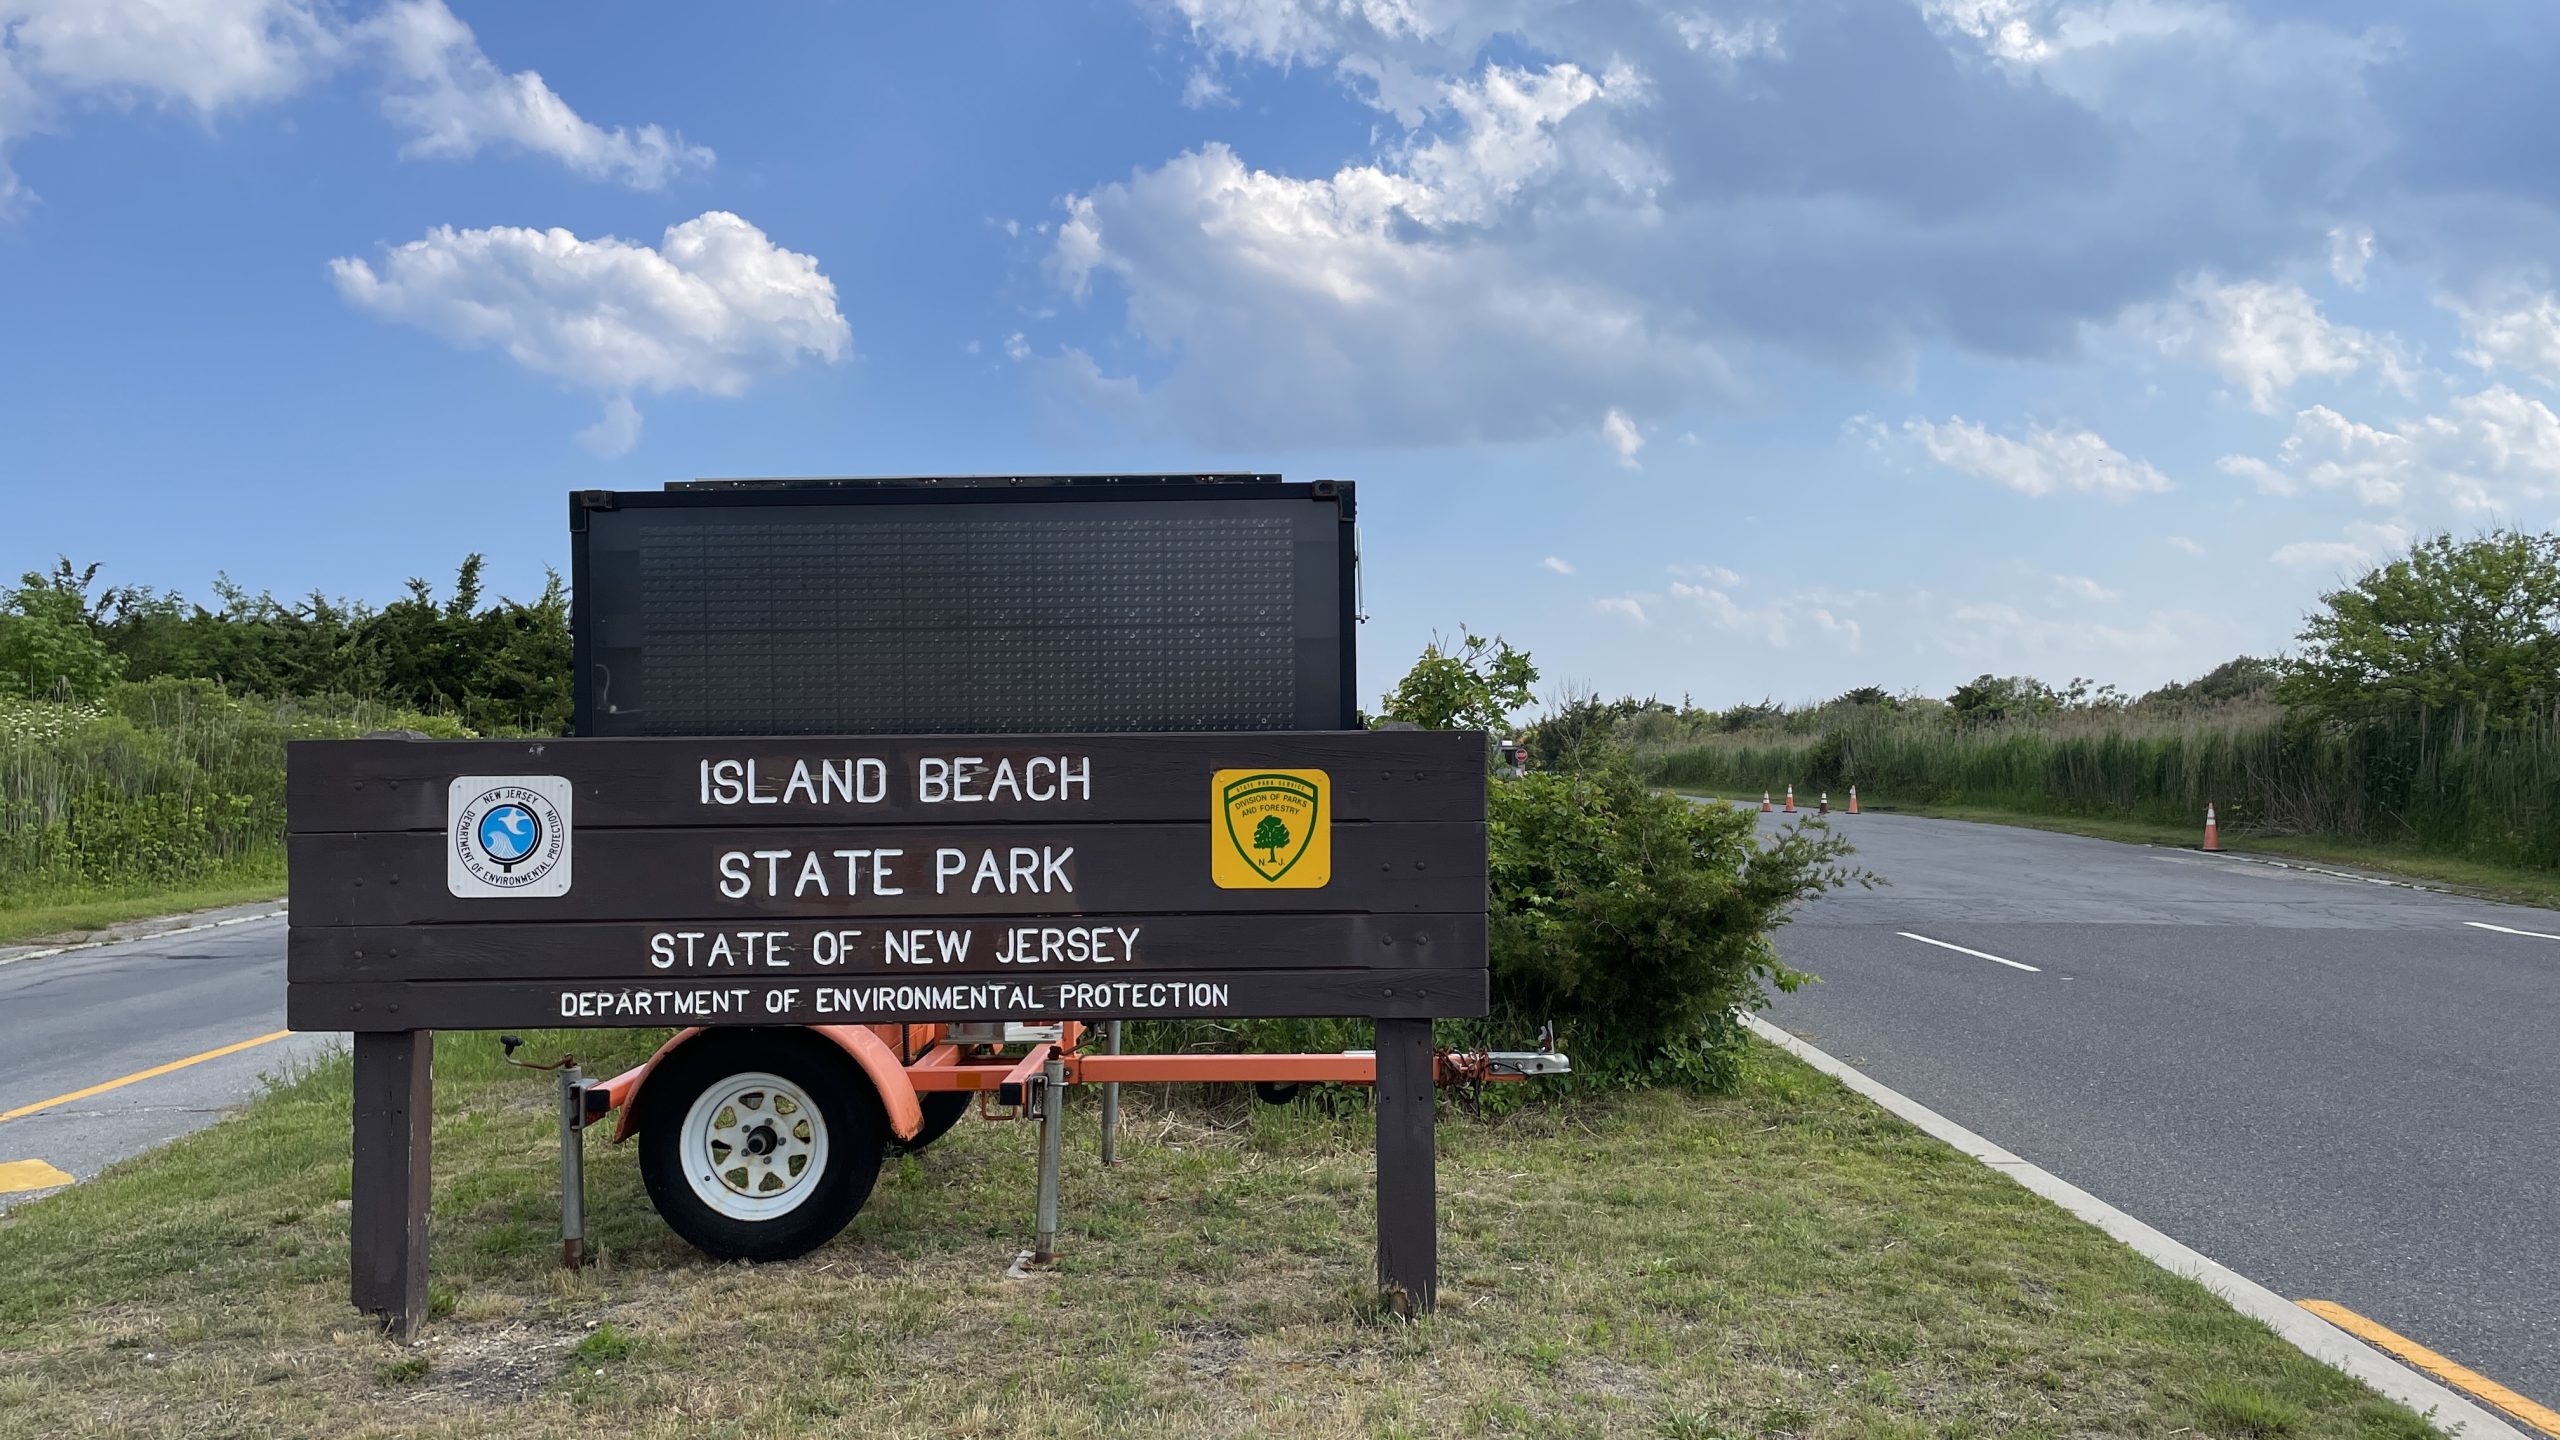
[2267, 337]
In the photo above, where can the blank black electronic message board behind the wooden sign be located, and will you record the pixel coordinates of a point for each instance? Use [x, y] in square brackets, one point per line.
[910, 609]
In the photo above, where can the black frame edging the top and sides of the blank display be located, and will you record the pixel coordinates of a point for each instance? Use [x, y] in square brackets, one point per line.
[979, 491]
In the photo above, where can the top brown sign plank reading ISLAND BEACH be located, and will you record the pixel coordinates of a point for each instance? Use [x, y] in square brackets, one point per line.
[884, 780]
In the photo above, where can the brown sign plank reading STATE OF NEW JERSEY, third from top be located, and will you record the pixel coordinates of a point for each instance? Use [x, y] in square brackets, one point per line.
[908, 949]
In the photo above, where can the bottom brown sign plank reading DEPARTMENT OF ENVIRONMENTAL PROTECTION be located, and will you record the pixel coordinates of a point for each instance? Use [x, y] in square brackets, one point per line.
[872, 1001]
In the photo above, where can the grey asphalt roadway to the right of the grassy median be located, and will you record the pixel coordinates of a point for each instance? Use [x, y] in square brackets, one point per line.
[2336, 1088]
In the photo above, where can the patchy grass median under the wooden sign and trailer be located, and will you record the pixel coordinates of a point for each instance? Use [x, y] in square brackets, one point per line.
[1783, 1262]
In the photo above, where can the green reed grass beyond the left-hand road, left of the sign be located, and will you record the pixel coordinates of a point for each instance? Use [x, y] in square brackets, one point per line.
[157, 785]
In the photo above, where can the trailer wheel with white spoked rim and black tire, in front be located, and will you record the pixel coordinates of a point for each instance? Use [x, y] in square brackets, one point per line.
[762, 1144]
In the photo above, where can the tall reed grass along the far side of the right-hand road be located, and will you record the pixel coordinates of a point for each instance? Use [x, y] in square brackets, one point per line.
[2433, 783]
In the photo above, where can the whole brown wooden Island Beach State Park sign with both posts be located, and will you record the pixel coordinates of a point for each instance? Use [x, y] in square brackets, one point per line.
[879, 880]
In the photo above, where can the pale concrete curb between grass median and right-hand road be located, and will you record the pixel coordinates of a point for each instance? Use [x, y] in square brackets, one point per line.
[2305, 1331]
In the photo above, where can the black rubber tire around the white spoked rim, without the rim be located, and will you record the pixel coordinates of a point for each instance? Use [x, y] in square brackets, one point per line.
[833, 1085]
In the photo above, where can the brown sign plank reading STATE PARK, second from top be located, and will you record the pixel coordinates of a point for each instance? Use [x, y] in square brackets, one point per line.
[887, 872]
